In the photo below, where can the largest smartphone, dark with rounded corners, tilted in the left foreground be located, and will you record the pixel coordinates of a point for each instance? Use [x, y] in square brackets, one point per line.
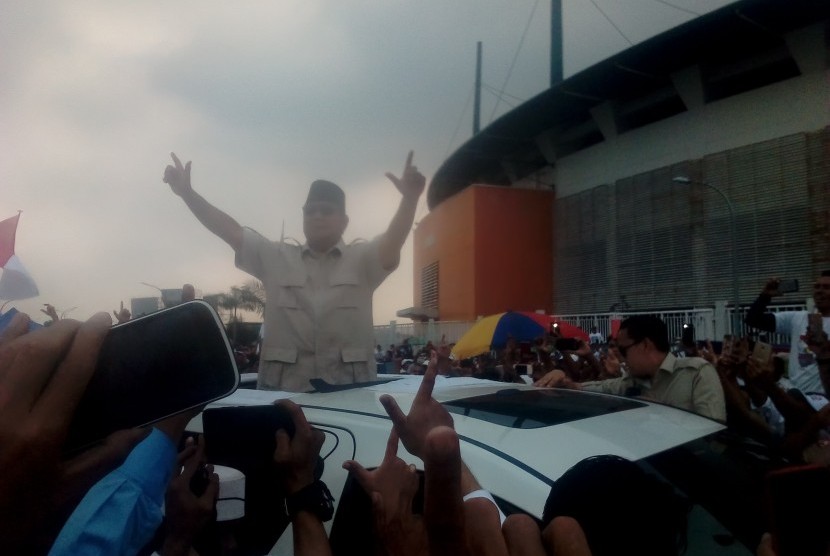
[154, 367]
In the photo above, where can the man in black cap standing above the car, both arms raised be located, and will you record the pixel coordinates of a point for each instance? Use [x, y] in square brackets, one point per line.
[318, 314]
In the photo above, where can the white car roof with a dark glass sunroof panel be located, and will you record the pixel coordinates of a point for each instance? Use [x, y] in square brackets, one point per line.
[581, 424]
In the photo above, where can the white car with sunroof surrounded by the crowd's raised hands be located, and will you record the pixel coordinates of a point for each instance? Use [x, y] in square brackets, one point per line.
[518, 440]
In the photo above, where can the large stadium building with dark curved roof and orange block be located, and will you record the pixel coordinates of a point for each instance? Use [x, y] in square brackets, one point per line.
[623, 186]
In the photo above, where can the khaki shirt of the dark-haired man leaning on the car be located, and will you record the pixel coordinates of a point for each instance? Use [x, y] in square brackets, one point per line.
[687, 382]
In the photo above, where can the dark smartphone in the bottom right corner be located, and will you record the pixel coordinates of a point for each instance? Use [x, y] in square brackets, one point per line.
[797, 523]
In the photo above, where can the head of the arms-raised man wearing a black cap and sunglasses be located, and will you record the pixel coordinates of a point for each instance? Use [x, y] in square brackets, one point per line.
[324, 215]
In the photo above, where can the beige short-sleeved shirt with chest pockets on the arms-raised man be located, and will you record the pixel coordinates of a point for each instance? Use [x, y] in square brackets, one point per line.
[318, 313]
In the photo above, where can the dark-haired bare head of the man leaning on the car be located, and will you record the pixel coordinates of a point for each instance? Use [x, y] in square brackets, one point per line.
[643, 342]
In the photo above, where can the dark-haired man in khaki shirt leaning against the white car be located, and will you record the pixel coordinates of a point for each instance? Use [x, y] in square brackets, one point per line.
[655, 374]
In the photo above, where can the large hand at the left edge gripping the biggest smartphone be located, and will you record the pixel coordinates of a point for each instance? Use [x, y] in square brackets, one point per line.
[44, 374]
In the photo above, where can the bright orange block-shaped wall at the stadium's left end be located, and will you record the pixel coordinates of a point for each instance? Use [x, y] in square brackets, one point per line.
[494, 246]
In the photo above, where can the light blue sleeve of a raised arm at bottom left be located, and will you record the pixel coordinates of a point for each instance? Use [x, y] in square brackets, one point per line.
[121, 512]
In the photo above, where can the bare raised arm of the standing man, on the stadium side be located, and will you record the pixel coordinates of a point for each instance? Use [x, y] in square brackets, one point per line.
[411, 184]
